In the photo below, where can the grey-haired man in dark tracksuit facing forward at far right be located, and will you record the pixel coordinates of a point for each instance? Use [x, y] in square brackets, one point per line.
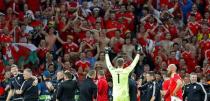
[194, 91]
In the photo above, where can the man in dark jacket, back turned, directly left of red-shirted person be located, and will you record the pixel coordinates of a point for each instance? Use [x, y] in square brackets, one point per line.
[87, 88]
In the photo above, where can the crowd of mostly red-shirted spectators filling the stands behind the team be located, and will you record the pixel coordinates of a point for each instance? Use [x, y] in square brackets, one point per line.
[72, 34]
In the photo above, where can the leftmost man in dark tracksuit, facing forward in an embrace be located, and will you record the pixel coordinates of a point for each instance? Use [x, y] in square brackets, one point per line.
[15, 84]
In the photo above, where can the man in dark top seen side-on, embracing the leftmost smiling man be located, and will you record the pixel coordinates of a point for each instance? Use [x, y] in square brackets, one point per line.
[30, 92]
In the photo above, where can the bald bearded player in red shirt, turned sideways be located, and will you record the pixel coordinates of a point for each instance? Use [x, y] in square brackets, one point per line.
[175, 86]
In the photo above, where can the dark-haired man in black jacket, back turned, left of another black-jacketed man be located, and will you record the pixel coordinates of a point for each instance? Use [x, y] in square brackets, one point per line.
[67, 89]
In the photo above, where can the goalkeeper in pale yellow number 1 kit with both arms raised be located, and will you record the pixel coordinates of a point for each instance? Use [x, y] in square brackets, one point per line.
[120, 76]
